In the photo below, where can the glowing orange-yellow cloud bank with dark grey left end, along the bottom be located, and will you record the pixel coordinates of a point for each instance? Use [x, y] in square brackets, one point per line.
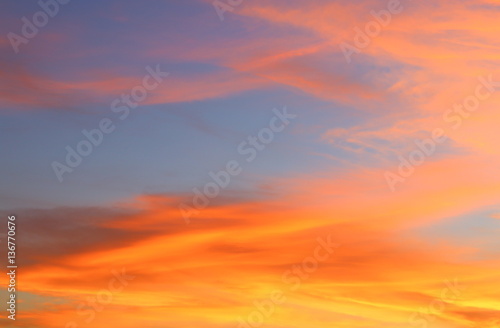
[234, 253]
